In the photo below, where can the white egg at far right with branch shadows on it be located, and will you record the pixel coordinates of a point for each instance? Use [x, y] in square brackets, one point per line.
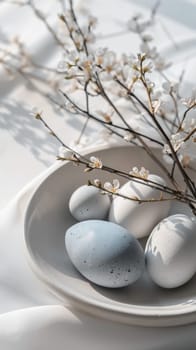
[170, 251]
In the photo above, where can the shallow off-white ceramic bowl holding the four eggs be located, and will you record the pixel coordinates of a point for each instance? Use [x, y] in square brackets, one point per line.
[47, 219]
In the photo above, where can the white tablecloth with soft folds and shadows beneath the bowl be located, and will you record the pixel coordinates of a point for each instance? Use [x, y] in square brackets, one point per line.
[39, 322]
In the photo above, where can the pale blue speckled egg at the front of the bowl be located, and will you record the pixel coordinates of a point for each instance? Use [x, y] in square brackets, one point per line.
[105, 253]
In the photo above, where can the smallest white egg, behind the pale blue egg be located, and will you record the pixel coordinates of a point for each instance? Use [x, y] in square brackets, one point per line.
[88, 203]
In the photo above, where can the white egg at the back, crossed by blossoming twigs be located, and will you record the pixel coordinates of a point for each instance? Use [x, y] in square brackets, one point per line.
[139, 218]
